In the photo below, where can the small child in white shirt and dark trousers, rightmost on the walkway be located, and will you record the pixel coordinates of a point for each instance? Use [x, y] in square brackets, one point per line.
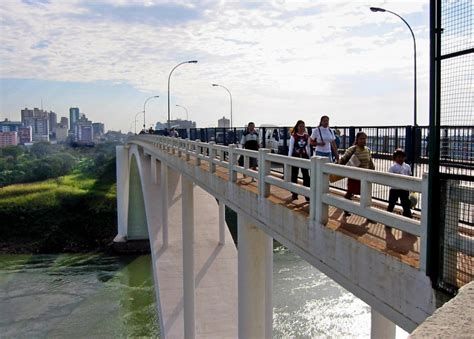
[399, 167]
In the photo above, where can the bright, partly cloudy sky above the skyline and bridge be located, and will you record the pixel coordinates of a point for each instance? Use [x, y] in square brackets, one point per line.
[281, 60]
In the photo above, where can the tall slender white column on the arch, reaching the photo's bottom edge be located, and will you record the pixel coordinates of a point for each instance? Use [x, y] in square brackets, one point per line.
[188, 256]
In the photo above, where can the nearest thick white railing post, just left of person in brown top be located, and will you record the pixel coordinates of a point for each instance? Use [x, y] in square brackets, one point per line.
[321, 209]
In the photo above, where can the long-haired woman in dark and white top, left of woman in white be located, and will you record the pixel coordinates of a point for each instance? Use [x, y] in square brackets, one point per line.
[299, 148]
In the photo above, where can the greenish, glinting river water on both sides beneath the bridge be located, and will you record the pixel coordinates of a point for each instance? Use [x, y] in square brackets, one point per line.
[97, 295]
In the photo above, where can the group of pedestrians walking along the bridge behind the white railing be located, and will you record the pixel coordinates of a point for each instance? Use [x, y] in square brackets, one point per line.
[325, 142]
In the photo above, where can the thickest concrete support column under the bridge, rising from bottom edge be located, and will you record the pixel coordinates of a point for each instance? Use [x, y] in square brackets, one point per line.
[255, 256]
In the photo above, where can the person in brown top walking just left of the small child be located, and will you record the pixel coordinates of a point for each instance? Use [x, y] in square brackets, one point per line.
[362, 152]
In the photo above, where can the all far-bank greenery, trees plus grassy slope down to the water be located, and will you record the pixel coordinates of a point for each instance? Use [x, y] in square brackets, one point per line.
[72, 212]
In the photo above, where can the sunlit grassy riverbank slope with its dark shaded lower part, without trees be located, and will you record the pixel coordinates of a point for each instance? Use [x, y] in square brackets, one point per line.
[71, 213]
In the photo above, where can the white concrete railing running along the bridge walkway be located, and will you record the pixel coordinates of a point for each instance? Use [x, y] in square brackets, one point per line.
[321, 197]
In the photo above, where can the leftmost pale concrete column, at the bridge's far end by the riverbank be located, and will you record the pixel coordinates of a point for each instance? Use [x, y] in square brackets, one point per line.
[123, 186]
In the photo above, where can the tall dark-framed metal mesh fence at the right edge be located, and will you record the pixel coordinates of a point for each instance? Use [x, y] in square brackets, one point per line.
[456, 151]
